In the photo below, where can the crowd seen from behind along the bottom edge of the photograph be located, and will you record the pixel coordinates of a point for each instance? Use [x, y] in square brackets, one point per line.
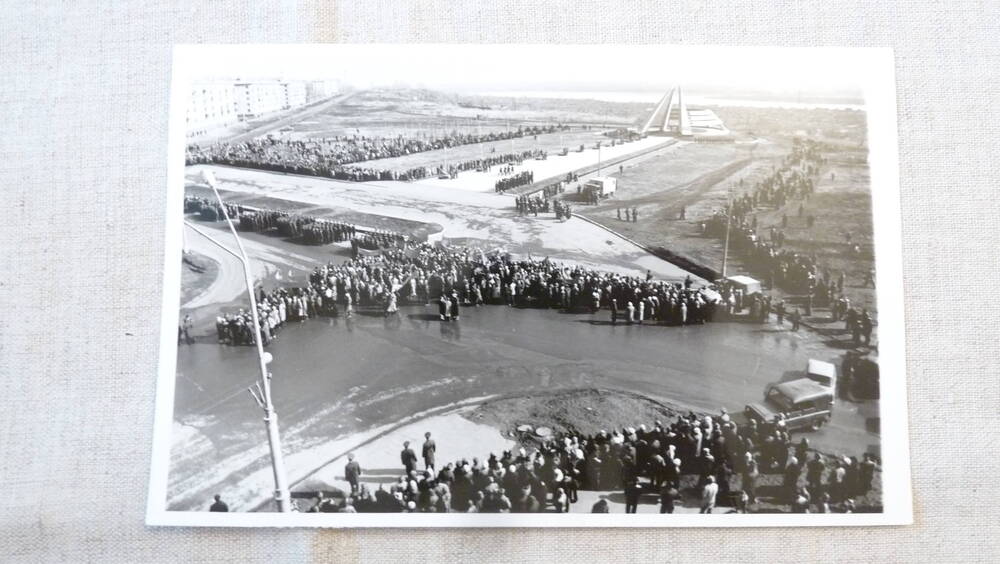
[709, 460]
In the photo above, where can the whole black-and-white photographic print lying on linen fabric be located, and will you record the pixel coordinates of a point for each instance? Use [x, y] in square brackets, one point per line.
[531, 286]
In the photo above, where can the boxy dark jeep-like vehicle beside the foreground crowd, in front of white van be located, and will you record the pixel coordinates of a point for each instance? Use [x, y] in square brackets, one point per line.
[801, 404]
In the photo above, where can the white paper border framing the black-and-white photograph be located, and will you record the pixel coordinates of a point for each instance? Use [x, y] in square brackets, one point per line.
[876, 71]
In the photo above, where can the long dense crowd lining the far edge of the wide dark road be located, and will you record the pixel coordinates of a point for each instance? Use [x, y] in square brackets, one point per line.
[420, 273]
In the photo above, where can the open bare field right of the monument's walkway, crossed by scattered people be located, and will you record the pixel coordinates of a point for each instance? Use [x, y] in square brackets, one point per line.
[697, 178]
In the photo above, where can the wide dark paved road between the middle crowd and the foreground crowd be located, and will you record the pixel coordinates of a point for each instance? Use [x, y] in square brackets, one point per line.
[334, 377]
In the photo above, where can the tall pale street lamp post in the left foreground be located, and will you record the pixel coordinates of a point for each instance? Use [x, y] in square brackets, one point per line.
[261, 391]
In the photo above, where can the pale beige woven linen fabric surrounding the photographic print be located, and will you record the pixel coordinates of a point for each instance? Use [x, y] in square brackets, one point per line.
[84, 101]
